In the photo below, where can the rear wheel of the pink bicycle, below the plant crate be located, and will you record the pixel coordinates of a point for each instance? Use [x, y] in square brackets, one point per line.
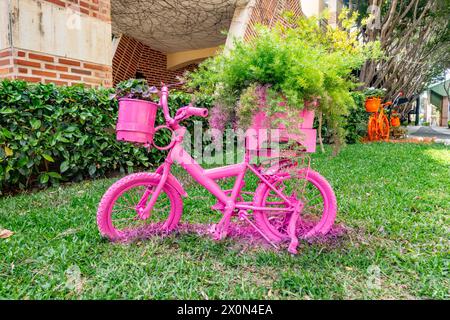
[309, 225]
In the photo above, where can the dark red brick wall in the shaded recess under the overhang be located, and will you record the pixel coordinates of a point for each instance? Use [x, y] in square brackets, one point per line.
[133, 56]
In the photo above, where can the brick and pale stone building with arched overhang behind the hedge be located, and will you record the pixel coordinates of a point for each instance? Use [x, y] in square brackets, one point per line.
[102, 42]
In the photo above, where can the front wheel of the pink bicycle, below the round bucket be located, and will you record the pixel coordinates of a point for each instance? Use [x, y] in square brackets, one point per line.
[117, 216]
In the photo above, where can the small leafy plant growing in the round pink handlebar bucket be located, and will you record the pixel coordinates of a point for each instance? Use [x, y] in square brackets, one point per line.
[135, 89]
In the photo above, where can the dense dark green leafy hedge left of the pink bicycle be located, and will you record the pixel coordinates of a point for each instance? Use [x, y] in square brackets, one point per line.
[50, 134]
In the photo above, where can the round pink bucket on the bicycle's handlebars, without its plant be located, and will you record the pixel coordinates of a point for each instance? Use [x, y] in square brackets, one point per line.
[136, 122]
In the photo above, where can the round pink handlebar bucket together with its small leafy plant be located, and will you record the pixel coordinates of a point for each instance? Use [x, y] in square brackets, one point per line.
[137, 111]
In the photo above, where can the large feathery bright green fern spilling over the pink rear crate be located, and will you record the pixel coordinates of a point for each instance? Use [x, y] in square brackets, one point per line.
[294, 64]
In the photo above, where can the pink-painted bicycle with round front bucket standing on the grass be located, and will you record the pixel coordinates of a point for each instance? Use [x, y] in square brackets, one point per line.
[291, 202]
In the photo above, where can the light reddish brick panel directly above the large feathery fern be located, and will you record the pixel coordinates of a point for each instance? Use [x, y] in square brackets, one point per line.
[270, 12]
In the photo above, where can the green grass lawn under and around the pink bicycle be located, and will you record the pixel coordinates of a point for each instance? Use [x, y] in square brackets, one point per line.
[393, 198]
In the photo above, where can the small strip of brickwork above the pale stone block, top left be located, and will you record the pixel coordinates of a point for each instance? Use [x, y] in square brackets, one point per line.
[99, 9]
